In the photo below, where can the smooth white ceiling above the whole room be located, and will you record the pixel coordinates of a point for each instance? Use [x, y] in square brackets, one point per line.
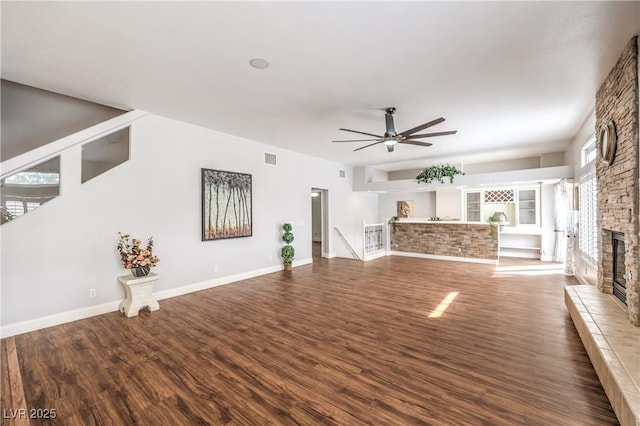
[515, 79]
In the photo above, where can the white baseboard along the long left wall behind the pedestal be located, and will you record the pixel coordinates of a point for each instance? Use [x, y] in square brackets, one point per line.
[104, 308]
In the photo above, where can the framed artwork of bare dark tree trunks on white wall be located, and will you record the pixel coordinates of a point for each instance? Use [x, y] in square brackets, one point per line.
[226, 205]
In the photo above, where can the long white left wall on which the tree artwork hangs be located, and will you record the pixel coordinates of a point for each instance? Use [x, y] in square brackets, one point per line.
[55, 254]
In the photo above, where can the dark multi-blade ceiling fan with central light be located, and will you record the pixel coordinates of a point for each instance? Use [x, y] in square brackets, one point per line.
[391, 138]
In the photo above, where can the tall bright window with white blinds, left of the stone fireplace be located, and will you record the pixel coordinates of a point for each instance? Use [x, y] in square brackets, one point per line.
[588, 217]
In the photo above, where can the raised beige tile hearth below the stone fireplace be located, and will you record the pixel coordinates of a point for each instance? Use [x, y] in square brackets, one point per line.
[613, 345]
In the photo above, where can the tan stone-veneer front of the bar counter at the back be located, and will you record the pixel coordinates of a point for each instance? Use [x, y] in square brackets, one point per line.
[445, 239]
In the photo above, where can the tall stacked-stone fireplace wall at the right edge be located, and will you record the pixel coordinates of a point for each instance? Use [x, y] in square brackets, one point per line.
[617, 99]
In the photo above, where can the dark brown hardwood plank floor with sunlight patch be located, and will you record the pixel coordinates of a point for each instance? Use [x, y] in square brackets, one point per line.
[336, 342]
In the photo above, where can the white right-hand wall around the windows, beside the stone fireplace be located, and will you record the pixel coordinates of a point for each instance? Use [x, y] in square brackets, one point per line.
[585, 271]
